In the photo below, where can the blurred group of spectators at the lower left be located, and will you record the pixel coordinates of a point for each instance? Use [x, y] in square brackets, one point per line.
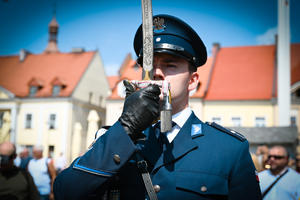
[26, 177]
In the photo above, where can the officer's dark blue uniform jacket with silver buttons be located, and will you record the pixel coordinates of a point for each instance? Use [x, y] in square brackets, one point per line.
[202, 162]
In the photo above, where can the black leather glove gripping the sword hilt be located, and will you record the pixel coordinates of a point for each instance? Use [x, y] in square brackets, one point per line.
[140, 109]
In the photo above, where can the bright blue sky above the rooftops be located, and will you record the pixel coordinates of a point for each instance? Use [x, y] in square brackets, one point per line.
[109, 26]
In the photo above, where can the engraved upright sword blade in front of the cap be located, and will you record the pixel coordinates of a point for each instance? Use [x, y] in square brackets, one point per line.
[147, 40]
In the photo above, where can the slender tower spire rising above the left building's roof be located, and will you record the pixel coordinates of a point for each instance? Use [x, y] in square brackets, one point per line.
[53, 30]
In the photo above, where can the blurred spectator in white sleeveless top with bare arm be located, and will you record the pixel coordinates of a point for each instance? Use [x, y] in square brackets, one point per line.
[43, 173]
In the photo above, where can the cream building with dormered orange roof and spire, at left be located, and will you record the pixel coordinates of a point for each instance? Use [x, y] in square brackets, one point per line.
[52, 98]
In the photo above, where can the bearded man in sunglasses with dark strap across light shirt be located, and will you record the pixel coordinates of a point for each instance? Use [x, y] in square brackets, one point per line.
[280, 181]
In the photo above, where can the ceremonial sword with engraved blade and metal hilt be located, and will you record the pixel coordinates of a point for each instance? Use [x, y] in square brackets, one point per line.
[147, 74]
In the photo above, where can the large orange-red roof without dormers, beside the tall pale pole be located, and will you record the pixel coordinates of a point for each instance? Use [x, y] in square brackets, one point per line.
[243, 73]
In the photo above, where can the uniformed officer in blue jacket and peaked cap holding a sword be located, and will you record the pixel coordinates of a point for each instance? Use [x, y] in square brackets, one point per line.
[201, 161]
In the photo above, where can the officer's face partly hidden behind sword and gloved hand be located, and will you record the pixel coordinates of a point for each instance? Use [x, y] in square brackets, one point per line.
[175, 70]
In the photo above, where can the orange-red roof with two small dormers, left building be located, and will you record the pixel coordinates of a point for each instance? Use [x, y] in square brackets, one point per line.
[44, 69]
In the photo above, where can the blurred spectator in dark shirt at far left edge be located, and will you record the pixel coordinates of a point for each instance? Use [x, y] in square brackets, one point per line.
[15, 183]
